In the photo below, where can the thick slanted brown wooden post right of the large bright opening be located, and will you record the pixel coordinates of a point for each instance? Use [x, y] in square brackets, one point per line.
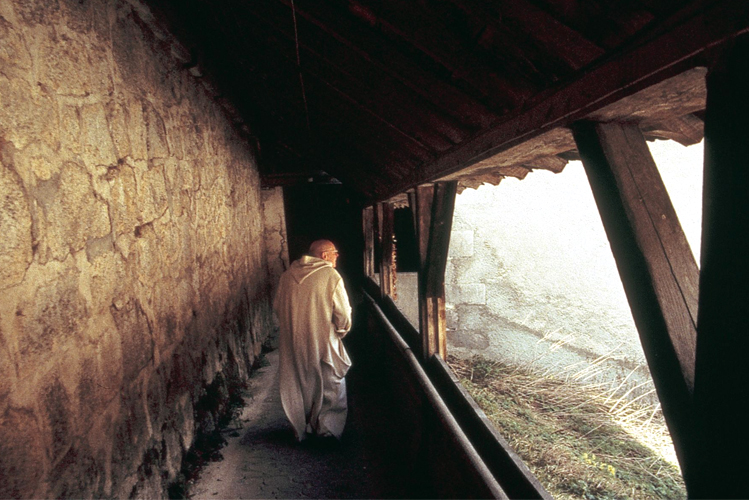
[656, 265]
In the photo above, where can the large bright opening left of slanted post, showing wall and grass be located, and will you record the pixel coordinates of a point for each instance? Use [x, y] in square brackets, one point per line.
[540, 332]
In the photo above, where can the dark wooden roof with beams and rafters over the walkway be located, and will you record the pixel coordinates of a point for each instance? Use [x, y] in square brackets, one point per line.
[383, 95]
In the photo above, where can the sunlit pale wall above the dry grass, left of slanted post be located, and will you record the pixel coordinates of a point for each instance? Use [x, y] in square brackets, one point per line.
[531, 281]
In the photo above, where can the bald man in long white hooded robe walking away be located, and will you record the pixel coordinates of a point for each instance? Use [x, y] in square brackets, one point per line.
[314, 315]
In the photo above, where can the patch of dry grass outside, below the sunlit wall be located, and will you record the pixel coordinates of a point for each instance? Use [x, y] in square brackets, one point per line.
[579, 442]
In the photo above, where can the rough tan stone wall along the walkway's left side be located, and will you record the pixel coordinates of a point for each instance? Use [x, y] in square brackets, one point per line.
[133, 276]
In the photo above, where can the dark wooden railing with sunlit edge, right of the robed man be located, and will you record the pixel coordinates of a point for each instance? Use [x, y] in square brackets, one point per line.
[451, 441]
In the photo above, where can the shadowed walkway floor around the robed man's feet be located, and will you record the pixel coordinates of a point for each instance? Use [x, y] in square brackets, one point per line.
[262, 460]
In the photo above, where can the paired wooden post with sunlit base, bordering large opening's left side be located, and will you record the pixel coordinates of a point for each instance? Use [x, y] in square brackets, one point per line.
[433, 211]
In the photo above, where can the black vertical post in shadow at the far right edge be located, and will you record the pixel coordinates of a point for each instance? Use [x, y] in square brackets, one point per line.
[722, 377]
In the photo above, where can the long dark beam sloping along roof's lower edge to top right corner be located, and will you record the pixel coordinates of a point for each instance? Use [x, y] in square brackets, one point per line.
[624, 73]
